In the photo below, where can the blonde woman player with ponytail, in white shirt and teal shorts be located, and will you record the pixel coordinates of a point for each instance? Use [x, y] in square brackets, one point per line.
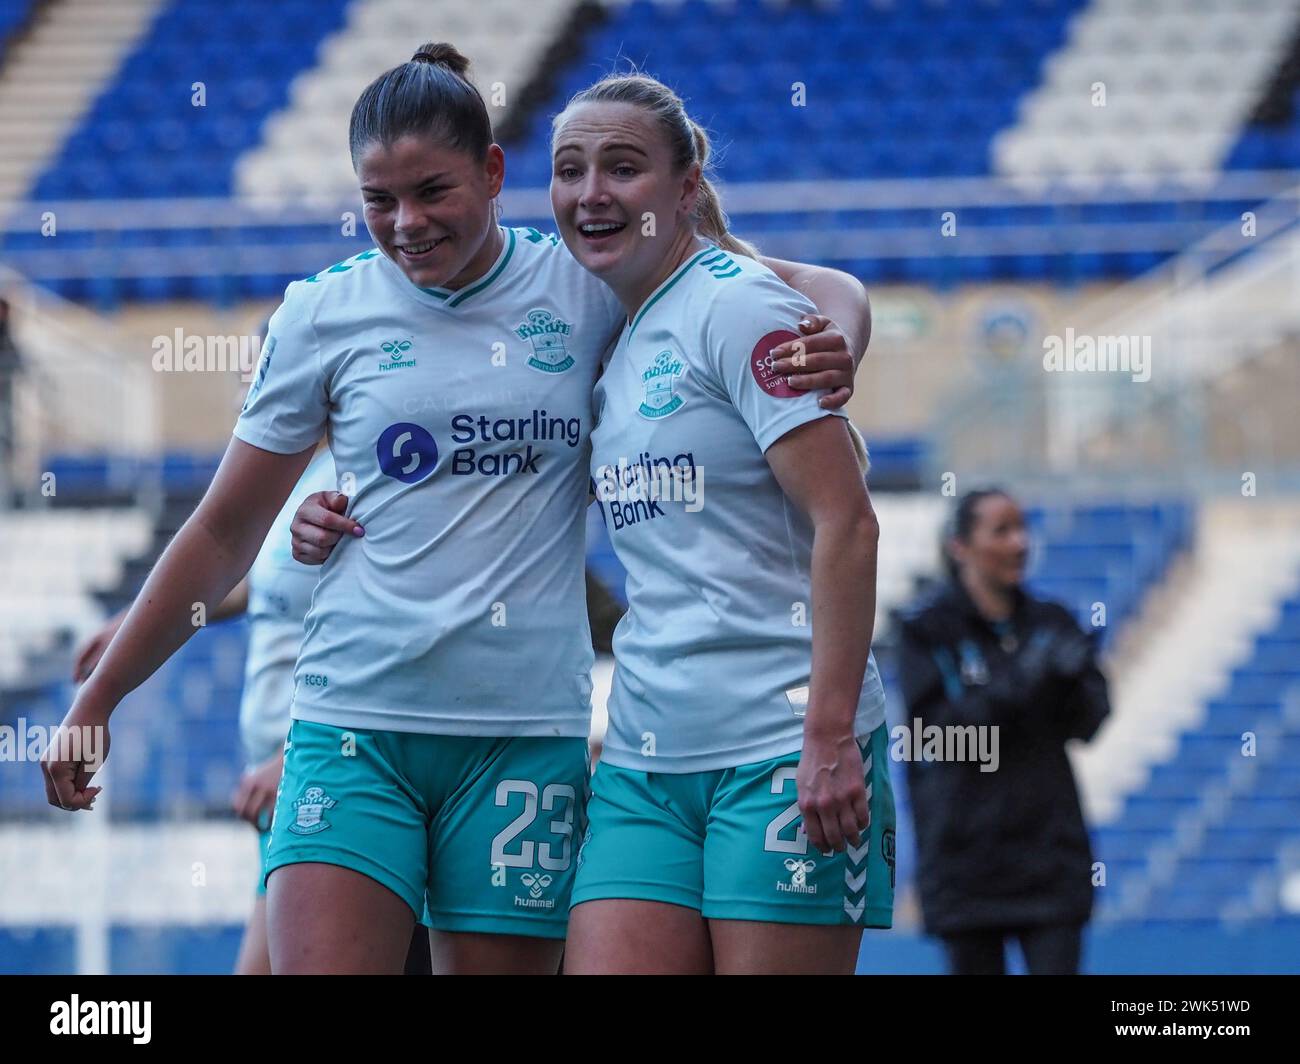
[742, 819]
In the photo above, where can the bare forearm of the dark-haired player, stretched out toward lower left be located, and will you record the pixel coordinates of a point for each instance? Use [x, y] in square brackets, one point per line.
[197, 569]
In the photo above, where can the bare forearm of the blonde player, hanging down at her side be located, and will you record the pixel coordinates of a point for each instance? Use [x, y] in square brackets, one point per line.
[844, 609]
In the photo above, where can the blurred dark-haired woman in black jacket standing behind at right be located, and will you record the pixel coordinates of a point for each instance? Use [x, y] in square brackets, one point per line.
[1002, 846]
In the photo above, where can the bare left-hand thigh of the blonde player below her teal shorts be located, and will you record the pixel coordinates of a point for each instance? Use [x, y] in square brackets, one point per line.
[630, 937]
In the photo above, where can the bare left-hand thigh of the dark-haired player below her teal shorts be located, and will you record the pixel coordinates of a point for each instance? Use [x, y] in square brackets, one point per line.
[331, 920]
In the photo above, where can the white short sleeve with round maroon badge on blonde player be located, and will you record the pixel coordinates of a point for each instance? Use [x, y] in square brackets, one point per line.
[749, 318]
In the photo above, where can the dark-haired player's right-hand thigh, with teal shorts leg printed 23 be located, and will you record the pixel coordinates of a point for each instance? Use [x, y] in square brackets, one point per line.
[502, 851]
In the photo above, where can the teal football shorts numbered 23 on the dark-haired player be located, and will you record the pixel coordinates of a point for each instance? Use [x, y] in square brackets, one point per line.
[483, 829]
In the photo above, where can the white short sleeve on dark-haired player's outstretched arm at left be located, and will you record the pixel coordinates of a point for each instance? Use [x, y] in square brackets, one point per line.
[288, 406]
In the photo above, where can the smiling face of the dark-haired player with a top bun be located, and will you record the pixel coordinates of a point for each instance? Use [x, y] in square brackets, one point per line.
[430, 209]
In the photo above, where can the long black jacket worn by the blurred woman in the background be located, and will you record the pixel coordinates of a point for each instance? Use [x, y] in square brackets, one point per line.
[1002, 849]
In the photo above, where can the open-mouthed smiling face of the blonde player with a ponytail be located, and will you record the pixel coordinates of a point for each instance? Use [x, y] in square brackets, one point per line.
[613, 174]
